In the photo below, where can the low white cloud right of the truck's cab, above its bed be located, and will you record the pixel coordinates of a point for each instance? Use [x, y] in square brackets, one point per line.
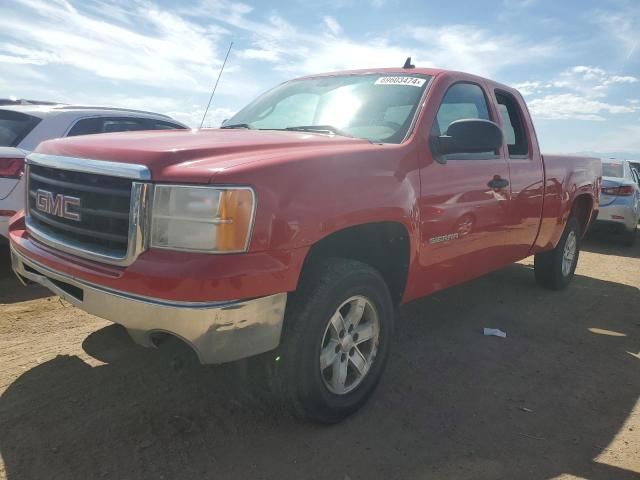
[572, 106]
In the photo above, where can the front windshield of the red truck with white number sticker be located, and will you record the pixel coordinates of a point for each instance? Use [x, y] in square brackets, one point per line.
[375, 107]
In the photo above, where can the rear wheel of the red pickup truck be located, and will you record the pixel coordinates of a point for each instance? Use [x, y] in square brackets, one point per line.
[548, 266]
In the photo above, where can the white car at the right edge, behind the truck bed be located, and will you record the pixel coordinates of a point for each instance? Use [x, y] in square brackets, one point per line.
[620, 199]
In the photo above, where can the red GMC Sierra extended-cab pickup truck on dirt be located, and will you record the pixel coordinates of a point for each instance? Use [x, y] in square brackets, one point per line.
[301, 225]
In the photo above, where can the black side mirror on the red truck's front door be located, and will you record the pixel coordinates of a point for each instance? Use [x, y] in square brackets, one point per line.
[469, 135]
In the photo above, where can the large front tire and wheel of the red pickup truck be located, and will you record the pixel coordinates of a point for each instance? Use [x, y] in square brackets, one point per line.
[332, 286]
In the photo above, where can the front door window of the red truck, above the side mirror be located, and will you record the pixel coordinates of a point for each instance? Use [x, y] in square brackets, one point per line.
[462, 100]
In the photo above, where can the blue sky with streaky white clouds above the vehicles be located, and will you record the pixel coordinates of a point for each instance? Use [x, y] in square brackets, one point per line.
[577, 62]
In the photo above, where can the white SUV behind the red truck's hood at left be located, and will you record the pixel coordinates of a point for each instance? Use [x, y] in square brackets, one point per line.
[23, 127]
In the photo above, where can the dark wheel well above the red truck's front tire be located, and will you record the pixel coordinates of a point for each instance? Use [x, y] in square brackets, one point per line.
[383, 246]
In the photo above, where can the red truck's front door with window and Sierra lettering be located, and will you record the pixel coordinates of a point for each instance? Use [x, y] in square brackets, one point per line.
[464, 198]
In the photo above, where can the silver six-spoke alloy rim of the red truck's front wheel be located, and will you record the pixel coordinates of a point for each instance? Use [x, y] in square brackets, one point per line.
[349, 345]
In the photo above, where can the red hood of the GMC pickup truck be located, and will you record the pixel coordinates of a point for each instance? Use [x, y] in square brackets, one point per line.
[196, 155]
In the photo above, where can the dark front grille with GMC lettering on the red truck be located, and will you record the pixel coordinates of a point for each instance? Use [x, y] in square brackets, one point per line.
[104, 207]
